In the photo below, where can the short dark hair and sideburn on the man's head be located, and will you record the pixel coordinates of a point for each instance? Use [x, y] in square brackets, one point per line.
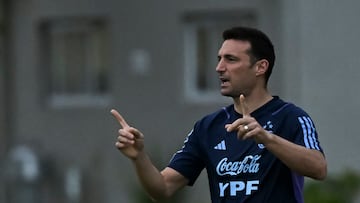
[261, 45]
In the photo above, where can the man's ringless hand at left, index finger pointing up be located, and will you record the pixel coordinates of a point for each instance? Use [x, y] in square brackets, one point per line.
[130, 141]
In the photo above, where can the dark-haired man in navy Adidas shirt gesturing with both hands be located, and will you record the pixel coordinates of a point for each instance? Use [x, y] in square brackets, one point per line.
[256, 150]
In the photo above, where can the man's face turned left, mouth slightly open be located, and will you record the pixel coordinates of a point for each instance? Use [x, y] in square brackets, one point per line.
[235, 70]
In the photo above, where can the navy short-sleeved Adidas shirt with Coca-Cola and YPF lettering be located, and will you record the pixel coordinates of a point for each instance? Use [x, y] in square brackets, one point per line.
[243, 171]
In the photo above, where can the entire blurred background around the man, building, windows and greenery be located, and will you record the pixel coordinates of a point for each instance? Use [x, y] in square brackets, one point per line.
[65, 64]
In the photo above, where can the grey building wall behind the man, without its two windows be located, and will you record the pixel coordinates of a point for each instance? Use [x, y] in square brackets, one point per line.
[315, 69]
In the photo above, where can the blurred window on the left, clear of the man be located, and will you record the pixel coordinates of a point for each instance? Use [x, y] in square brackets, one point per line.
[75, 57]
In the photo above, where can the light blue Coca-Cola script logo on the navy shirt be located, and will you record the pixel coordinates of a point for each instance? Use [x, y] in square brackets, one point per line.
[248, 165]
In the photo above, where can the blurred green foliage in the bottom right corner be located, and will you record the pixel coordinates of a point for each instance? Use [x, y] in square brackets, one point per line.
[342, 188]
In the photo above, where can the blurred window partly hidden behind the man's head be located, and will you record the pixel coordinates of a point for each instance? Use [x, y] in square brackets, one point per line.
[203, 38]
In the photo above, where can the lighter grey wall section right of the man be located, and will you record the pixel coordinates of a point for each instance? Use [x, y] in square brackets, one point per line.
[323, 54]
